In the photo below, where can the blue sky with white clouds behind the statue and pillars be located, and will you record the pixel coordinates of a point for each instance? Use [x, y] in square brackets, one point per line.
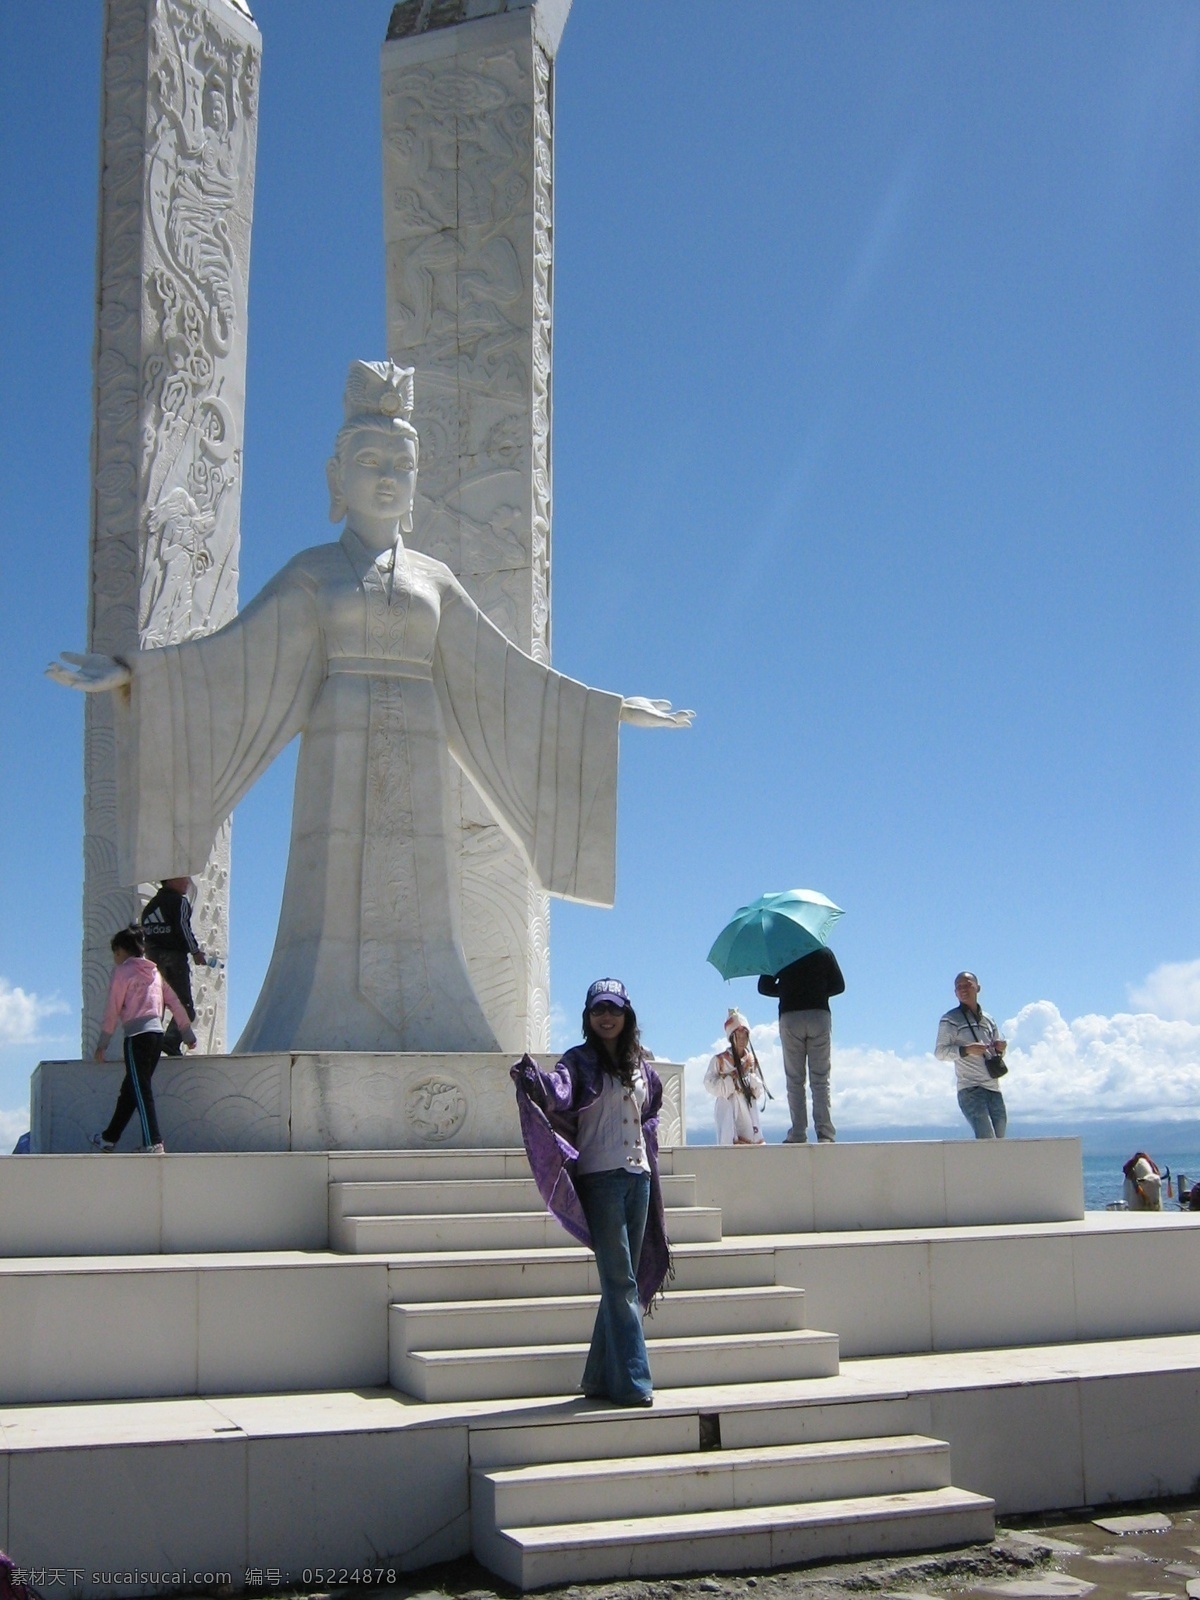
[876, 439]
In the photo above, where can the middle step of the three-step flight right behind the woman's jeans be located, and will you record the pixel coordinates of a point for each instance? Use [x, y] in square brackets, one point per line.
[564, 1319]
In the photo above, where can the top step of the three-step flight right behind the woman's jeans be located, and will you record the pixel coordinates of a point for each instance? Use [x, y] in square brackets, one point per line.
[567, 1270]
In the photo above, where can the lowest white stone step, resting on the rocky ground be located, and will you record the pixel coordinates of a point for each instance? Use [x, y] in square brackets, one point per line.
[738, 1538]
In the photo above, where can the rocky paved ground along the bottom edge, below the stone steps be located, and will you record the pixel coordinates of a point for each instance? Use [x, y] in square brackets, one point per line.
[1148, 1554]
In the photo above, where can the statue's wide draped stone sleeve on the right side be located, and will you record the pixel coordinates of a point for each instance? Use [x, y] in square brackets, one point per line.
[540, 748]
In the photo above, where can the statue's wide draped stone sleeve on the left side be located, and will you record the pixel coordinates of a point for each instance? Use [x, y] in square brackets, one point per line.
[202, 721]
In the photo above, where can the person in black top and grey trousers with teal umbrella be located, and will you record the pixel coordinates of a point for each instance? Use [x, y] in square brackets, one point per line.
[783, 938]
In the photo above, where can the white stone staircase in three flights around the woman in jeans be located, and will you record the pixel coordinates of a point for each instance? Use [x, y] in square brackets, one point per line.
[498, 1305]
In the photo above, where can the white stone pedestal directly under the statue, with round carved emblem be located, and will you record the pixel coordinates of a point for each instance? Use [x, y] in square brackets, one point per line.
[306, 1102]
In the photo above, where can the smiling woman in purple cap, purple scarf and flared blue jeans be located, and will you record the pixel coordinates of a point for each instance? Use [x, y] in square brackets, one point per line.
[591, 1134]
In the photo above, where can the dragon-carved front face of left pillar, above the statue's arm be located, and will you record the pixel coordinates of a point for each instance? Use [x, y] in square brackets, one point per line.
[202, 94]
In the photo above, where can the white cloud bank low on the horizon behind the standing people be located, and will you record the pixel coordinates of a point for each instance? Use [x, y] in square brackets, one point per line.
[1145, 1066]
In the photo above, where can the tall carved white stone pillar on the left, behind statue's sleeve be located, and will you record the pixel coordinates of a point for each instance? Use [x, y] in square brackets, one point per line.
[178, 130]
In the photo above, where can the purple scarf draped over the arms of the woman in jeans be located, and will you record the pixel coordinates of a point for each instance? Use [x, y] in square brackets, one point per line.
[550, 1105]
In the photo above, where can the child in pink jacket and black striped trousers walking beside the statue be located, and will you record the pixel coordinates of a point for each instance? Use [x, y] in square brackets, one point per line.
[137, 998]
